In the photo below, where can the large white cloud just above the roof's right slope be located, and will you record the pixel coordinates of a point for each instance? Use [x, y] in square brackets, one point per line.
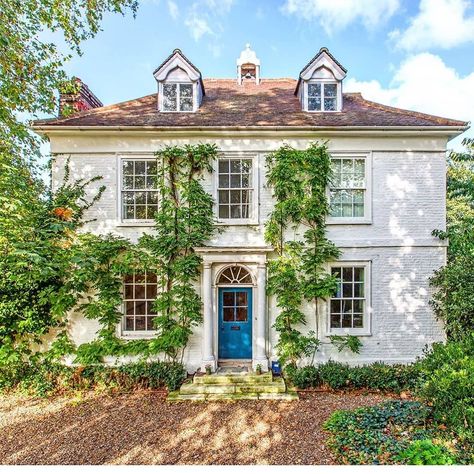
[423, 82]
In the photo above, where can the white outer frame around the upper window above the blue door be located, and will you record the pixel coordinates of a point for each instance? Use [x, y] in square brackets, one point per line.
[253, 218]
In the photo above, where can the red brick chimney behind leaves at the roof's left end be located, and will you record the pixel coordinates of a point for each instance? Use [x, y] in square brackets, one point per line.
[75, 96]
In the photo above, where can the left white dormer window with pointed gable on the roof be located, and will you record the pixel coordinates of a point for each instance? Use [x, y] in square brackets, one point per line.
[180, 87]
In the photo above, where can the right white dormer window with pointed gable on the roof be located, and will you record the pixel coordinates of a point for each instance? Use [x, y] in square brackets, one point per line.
[319, 86]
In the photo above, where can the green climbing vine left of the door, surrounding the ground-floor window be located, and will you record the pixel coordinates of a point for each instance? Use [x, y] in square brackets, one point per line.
[183, 222]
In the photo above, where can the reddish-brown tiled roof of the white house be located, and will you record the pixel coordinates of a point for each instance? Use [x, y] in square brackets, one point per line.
[269, 104]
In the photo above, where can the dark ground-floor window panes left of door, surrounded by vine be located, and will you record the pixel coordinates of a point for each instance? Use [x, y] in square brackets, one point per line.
[139, 292]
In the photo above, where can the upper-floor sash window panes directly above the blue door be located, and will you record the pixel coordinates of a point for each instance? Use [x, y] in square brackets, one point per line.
[235, 191]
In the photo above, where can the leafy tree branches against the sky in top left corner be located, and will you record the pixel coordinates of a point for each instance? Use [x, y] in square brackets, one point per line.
[31, 69]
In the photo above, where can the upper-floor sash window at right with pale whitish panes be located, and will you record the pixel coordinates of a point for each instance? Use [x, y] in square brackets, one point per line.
[348, 193]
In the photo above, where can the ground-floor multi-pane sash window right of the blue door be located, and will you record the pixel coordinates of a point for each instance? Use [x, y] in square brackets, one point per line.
[348, 310]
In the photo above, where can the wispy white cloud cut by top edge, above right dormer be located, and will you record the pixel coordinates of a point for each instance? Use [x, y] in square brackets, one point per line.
[337, 14]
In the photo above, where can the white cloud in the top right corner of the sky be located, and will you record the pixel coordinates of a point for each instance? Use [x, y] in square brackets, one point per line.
[439, 23]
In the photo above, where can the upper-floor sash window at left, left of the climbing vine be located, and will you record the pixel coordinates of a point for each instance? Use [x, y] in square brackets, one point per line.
[139, 195]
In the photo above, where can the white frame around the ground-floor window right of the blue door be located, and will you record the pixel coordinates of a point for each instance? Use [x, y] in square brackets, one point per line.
[366, 329]
